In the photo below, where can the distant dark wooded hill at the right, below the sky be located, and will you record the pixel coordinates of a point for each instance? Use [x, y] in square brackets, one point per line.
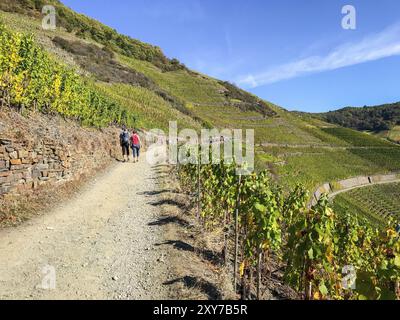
[383, 120]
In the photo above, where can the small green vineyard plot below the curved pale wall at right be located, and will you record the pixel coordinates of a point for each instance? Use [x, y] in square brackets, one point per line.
[379, 203]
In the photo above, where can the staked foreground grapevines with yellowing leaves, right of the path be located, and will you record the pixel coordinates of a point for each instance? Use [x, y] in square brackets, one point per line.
[314, 244]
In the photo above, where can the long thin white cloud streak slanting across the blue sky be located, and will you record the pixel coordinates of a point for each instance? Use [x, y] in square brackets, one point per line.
[373, 47]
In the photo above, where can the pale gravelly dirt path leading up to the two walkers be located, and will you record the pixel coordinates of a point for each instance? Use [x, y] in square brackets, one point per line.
[101, 244]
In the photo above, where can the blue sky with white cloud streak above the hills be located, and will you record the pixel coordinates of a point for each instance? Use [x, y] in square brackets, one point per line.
[294, 53]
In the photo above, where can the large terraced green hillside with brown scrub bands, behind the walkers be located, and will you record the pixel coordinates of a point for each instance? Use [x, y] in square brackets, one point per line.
[297, 148]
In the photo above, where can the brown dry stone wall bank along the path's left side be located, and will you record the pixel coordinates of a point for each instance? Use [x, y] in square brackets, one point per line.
[40, 151]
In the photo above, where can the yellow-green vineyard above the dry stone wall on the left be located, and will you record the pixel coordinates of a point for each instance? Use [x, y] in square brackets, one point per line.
[31, 80]
